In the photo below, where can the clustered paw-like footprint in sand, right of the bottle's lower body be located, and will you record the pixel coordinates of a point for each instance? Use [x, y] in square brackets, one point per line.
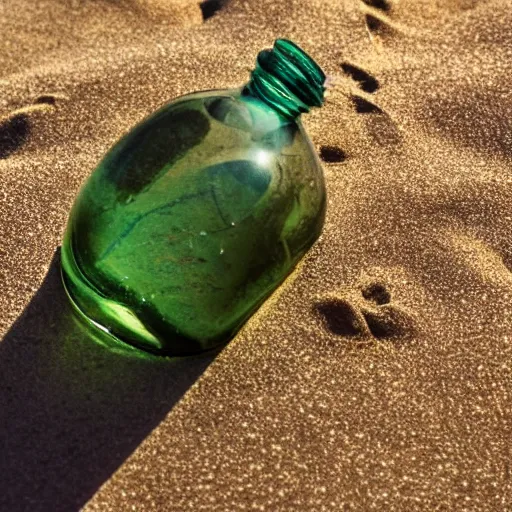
[366, 313]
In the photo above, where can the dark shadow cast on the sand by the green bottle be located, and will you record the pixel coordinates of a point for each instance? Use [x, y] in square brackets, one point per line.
[71, 410]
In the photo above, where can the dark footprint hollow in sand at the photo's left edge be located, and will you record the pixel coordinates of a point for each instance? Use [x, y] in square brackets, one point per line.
[15, 128]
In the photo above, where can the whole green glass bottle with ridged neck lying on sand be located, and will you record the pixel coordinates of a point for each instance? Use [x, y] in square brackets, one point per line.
[195, 216]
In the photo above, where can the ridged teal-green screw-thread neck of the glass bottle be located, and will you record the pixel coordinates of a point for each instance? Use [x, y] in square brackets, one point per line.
[287, 79]
